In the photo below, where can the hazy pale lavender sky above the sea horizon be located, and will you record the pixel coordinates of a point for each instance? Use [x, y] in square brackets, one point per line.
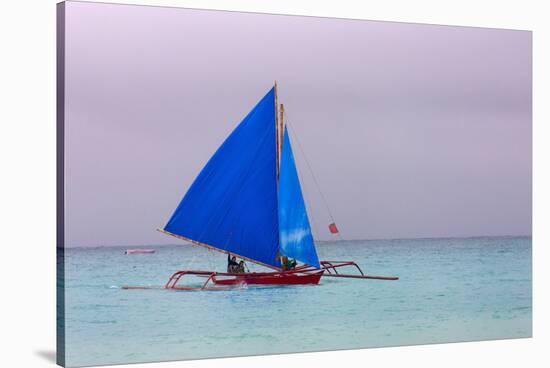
[411, 130]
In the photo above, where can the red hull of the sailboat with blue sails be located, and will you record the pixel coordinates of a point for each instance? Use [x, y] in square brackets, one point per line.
[274, 279]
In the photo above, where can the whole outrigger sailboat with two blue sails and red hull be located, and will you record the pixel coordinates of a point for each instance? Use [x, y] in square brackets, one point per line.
[247, 202]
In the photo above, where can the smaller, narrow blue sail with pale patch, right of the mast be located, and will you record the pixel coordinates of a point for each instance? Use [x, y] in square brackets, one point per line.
[294, 230]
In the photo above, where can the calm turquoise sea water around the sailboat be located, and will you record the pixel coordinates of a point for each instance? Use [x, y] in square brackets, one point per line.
[449, 290]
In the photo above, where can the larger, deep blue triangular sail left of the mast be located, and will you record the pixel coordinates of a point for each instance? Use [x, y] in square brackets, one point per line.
[232, 204]
